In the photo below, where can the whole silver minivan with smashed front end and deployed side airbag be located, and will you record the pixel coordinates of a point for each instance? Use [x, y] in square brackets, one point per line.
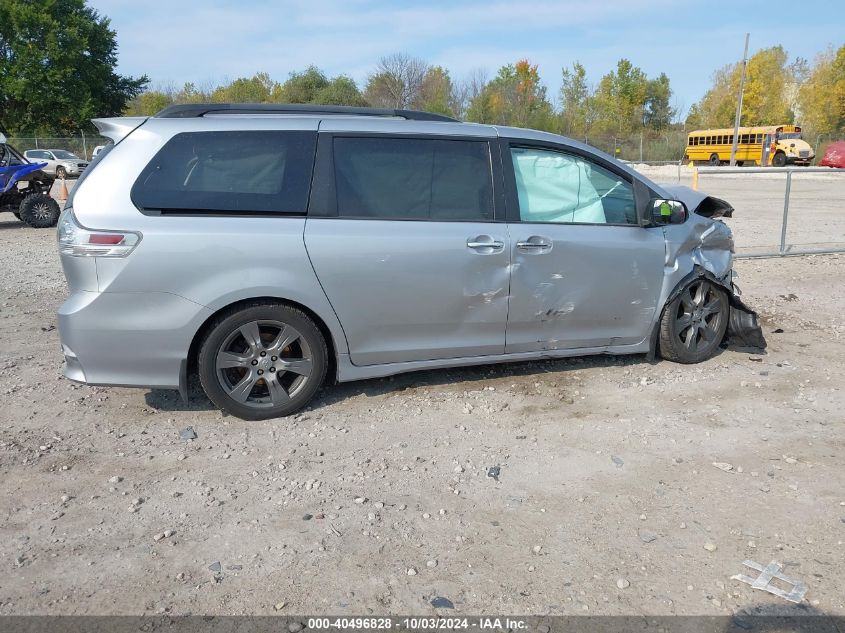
[268, 249]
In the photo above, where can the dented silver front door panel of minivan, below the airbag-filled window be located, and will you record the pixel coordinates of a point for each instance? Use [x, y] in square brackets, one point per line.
[597, 285]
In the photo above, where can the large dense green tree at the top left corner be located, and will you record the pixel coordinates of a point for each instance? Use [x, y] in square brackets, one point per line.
[57, 67]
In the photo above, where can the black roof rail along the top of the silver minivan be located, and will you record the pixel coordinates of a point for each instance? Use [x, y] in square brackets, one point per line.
[196, 110]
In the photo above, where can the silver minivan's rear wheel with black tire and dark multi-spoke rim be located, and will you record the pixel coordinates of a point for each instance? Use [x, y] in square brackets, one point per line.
[247, 379]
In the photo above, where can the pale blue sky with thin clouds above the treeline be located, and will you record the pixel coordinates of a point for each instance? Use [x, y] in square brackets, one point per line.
[210, 41]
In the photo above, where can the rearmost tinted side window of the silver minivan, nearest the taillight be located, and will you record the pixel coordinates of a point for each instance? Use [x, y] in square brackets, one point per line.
[231, 172]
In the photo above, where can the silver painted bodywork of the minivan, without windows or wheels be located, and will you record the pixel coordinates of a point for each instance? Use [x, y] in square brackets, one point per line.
[394, 296]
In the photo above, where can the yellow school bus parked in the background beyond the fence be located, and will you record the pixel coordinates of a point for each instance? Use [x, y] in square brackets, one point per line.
[776, 145]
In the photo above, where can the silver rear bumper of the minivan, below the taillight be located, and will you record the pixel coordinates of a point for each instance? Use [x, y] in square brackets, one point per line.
[138, 339]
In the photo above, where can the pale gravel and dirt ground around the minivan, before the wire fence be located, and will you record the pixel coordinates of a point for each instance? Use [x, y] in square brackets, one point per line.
[377, 498]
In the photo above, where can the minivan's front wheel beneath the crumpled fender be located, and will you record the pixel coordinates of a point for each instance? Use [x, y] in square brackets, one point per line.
[694, 323]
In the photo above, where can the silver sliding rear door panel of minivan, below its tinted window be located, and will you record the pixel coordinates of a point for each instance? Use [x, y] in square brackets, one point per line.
[411, 291]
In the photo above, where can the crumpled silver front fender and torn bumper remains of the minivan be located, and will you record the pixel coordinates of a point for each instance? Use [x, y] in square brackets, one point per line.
[703, 247]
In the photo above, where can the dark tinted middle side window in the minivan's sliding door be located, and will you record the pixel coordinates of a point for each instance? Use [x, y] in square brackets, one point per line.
[413, 179]
